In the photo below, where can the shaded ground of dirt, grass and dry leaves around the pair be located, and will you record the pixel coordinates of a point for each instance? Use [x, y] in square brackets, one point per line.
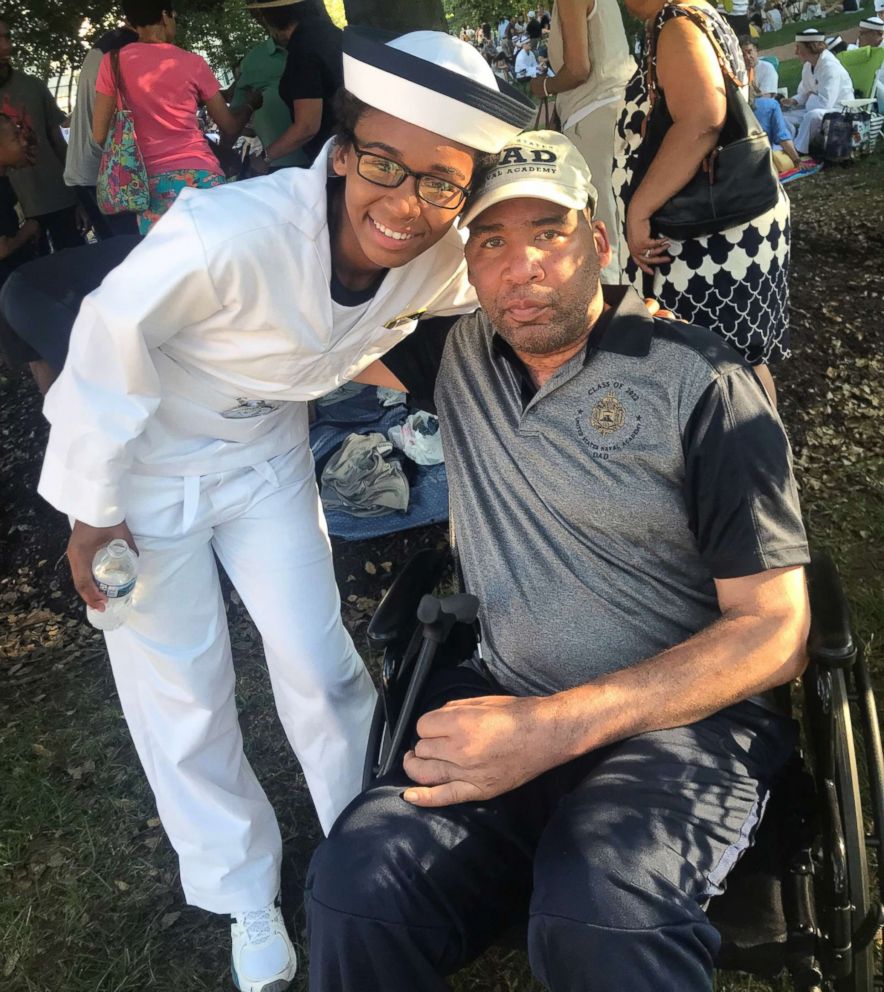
[89, 896]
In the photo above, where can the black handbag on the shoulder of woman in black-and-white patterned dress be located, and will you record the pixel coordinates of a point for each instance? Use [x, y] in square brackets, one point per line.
[735, 183]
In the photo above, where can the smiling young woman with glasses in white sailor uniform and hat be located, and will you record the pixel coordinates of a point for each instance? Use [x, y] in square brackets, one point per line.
[180, 424]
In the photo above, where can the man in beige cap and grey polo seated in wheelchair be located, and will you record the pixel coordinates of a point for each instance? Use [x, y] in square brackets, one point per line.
[628, 519]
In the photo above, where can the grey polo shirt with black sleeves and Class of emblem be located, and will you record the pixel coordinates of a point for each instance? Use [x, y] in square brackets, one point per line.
[594, 513]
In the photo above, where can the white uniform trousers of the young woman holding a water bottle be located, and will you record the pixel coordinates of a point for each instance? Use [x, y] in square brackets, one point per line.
[173, 669]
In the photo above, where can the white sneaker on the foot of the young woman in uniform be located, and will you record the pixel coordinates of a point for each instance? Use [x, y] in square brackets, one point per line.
[263, 957]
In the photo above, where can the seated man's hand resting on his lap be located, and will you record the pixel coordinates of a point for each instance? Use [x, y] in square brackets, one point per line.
[474, 749]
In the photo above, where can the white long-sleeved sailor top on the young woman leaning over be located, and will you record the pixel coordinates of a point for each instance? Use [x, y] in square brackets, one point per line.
[224, 308]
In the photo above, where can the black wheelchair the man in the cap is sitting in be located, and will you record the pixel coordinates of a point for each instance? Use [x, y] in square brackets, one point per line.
[806, 898]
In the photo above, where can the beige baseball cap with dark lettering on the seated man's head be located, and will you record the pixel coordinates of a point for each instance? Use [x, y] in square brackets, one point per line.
[543, 165]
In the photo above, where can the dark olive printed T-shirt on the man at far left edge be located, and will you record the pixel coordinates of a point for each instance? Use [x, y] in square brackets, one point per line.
[40, 188]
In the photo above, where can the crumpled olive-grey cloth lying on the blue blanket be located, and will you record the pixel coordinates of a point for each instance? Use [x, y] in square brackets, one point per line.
[357, 479]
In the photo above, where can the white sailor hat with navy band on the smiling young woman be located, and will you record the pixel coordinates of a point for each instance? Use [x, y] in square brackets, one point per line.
[436, 82]
